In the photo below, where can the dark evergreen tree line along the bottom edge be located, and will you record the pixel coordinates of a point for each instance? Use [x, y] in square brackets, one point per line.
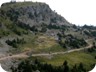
[36, 66]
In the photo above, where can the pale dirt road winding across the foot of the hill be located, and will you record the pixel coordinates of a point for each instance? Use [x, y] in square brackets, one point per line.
[24, 55]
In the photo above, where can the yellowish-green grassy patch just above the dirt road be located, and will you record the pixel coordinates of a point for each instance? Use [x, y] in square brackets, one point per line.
[40, 43]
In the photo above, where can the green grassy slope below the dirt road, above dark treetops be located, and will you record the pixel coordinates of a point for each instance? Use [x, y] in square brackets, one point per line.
[73, 58]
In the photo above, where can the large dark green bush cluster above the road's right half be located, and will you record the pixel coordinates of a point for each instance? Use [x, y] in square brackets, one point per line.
[71, 41]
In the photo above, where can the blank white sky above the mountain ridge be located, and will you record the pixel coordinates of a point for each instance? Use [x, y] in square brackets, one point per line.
[79, 12]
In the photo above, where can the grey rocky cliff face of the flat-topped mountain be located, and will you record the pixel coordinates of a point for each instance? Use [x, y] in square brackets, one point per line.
[33, 14]
